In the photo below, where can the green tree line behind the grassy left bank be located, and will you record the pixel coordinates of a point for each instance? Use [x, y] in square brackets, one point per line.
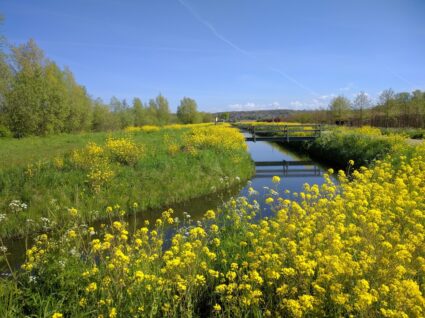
[37, 97]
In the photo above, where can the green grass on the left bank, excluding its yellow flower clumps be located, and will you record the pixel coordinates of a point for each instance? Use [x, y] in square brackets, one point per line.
[157, 180]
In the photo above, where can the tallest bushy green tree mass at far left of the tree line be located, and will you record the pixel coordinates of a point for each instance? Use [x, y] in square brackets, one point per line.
[41, 98]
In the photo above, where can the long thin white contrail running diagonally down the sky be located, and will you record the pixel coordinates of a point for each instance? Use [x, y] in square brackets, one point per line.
[242, 51]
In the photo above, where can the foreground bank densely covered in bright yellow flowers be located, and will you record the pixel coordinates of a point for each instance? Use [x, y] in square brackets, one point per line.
[354, 248]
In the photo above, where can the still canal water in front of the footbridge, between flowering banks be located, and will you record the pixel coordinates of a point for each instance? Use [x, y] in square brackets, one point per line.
[291, 179]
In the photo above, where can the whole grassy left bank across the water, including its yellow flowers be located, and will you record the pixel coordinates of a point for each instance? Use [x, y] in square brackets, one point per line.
[41, 178]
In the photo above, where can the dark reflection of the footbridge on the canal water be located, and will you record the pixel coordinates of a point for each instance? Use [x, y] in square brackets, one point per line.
[289, 168]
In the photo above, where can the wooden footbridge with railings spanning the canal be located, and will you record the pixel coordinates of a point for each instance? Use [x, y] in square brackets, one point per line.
[284, 133]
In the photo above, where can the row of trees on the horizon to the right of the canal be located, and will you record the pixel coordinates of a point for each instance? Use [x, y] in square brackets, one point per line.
[403, 109]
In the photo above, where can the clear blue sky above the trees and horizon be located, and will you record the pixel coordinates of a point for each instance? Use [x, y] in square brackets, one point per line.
[229, 54]
